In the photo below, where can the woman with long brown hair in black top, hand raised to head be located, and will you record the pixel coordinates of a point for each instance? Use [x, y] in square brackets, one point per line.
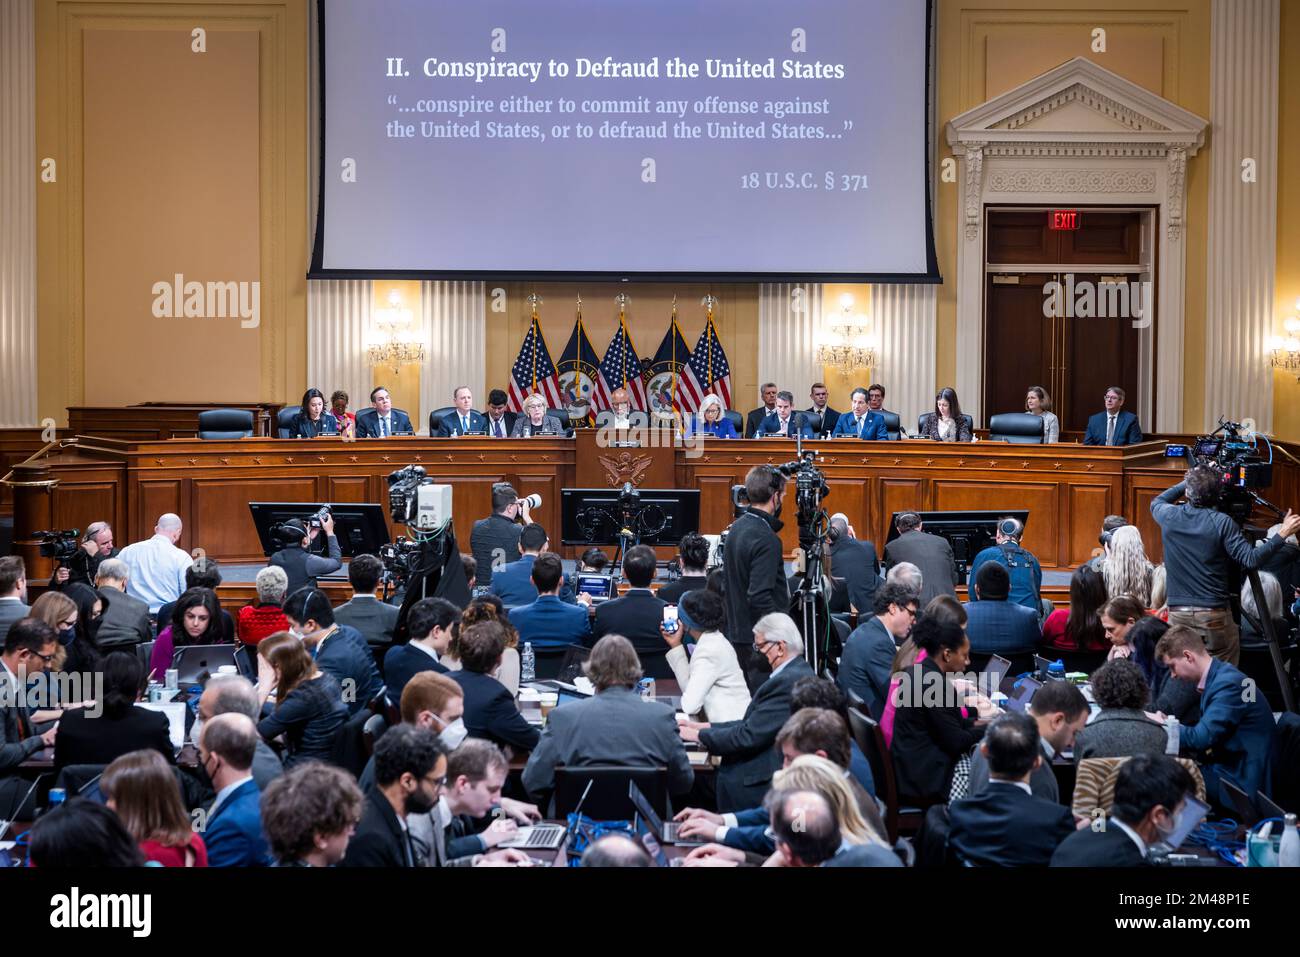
[310, 708]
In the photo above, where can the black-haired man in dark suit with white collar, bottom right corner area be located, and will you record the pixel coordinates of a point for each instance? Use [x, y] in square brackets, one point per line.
[1150, 795]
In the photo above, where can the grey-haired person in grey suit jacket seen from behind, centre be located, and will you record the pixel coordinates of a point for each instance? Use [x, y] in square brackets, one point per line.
[613, 728]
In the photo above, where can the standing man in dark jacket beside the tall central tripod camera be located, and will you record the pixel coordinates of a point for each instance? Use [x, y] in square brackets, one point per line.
[755, 564]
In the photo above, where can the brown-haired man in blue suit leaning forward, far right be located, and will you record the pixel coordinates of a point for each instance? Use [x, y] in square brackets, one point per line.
[1234, 738]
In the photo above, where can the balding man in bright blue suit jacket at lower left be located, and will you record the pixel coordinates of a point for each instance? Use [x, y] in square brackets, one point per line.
[233, 830]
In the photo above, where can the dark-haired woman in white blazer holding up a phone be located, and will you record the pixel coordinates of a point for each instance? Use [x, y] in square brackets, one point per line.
[712, 681]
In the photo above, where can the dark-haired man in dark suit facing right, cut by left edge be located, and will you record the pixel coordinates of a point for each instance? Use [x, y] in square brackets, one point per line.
[29, 647]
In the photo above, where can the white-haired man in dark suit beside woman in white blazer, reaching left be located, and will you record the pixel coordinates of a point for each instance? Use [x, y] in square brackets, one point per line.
[747, 747]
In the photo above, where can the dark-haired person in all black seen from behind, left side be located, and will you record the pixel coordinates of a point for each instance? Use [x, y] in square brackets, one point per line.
[116, 726]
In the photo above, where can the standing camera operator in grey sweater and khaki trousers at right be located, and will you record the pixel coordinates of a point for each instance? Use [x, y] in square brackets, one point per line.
[1202, 545]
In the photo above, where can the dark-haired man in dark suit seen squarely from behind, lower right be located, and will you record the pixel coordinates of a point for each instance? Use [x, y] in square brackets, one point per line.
[1006, 826]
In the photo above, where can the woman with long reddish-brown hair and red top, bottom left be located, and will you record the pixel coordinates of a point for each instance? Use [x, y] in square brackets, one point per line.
[142, 790]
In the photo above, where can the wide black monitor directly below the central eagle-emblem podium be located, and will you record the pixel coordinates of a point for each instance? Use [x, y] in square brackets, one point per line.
[593, 517]
